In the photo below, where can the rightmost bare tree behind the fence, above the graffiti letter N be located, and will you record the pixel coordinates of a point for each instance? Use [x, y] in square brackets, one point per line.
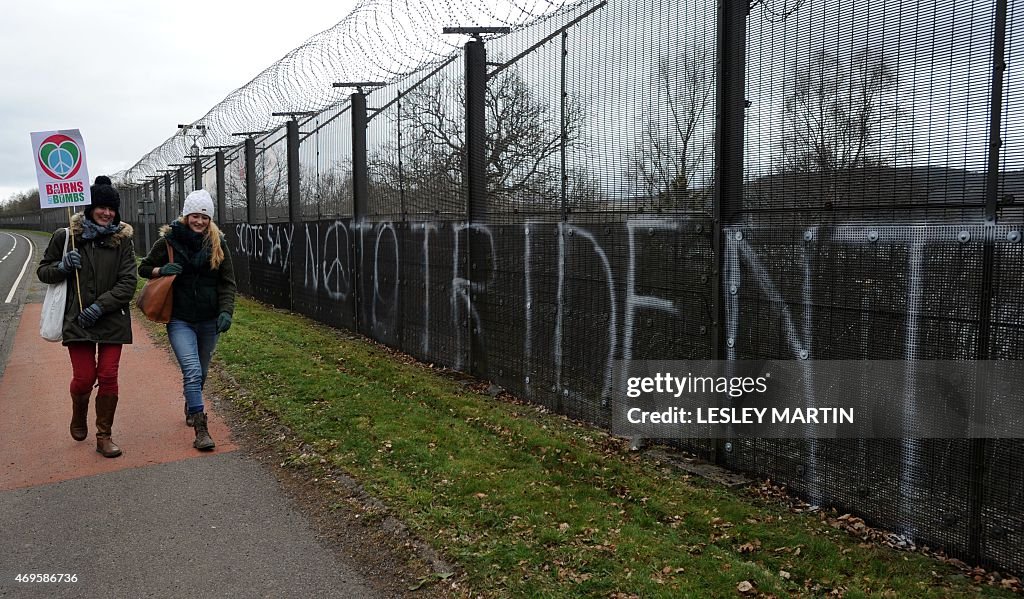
[842, 116]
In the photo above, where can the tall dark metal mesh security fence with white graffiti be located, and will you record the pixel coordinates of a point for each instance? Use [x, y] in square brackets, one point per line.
[673, 181]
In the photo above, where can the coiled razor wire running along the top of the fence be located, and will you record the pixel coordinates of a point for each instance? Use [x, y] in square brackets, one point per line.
[379, 40]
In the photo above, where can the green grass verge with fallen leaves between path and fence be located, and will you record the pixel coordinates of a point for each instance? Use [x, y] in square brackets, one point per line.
[532, 505]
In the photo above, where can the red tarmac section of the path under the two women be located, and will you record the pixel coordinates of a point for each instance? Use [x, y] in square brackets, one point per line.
[34, 395]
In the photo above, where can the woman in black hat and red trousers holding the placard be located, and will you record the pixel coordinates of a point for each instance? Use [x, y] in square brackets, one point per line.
[105, 260]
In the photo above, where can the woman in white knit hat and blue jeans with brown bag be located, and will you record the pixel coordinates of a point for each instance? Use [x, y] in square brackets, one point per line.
[203, 298]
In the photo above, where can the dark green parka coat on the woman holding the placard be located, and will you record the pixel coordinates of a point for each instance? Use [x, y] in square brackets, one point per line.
[107, 278]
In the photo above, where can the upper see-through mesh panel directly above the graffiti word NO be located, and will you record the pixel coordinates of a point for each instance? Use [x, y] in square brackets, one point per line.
[326, 165]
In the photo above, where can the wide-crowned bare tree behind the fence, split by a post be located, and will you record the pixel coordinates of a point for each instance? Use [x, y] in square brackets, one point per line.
[525, 139]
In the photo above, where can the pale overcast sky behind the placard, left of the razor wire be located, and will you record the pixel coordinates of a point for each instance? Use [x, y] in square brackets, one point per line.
[127, 73]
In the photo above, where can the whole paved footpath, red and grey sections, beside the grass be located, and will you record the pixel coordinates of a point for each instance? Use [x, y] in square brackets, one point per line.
[162, 521]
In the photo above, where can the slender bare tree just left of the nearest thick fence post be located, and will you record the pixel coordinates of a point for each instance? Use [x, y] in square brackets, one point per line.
[666, 163]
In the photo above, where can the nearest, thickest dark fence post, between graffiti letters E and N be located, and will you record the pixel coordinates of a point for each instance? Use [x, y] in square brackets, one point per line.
[731, 104]
